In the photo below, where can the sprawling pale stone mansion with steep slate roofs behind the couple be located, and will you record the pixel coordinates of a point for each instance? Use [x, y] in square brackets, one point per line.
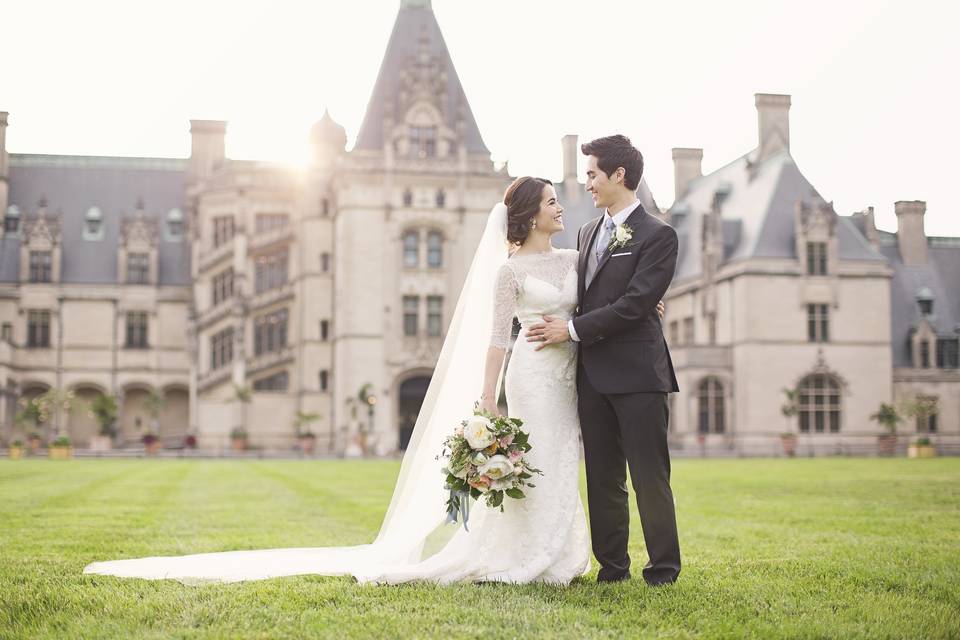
[328, 290]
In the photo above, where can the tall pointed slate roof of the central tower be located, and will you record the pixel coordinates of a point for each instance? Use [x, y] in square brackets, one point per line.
[415, 21]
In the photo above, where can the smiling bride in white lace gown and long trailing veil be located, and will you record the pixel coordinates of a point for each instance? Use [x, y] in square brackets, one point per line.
[540, 538]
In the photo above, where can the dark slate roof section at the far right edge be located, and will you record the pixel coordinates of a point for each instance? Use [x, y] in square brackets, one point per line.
[940, 276]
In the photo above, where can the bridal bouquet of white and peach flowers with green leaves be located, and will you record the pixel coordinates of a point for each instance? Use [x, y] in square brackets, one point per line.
[485, 459]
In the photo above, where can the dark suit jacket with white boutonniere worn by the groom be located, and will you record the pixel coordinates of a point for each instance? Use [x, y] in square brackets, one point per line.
[622, 348]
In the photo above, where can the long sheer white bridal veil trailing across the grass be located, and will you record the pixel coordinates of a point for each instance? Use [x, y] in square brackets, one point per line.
[417, 510]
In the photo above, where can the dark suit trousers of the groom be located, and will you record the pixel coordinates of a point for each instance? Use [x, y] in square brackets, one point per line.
[621, 430]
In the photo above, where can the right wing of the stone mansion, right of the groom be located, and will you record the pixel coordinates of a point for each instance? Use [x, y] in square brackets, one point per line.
[774, 291]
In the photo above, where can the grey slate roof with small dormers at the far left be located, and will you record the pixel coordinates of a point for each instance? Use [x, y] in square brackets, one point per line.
[73, 184]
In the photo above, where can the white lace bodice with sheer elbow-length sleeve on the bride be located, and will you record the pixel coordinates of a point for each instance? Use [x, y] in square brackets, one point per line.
[519, 290]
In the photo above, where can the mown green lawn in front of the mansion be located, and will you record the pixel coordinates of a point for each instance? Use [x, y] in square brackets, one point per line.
[788, 548]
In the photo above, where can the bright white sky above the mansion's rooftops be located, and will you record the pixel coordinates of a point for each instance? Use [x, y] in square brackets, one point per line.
[875, 116]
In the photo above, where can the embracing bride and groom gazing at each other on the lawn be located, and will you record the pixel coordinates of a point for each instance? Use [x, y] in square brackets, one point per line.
[589, 362]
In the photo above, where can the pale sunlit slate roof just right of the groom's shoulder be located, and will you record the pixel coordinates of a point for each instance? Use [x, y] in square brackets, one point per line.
[758, 213]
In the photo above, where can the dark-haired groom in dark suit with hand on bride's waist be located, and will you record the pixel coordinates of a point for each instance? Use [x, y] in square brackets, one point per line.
[627, 260]
